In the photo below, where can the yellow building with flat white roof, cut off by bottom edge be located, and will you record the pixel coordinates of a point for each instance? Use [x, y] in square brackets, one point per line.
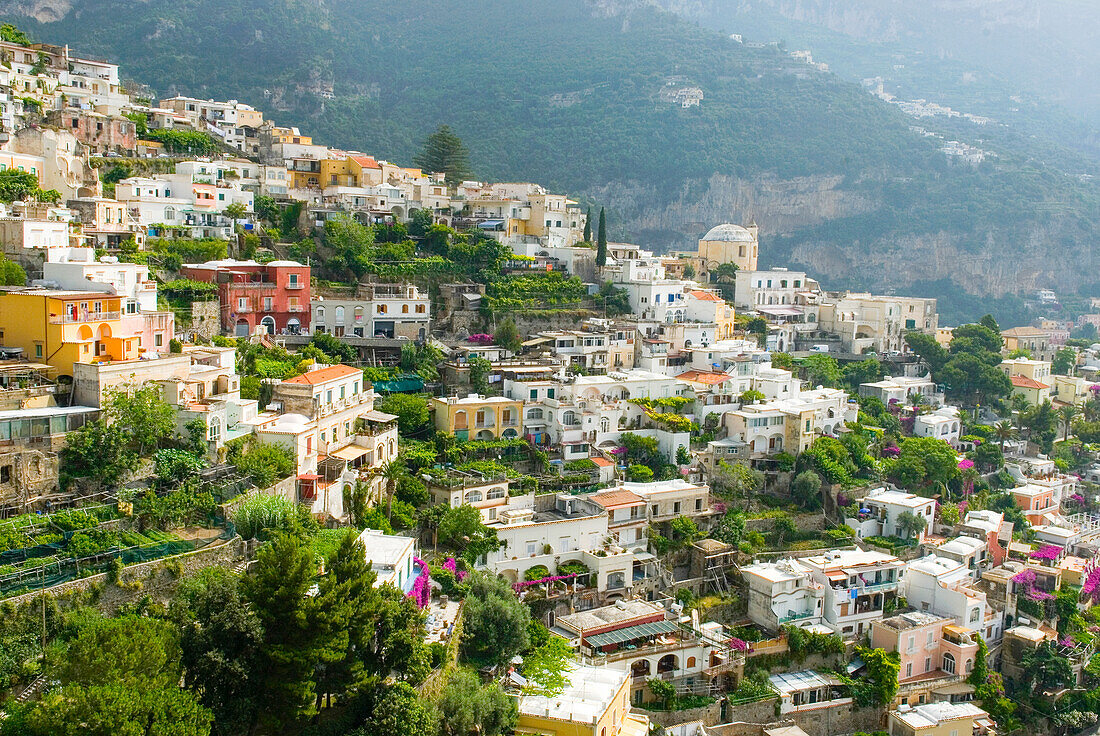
[596, 704]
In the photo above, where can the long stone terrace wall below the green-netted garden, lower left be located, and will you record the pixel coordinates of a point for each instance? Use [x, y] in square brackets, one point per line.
[158, 578]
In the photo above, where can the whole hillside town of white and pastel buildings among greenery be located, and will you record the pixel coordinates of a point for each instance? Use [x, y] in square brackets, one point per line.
[296, 440]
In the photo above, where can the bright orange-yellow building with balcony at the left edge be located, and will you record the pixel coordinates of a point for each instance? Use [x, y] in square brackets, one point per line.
[63, 328]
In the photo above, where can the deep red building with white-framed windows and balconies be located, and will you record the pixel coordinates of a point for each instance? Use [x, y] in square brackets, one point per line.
[273, 295]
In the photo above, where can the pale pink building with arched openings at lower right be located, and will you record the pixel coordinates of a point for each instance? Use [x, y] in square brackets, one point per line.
[930, 646]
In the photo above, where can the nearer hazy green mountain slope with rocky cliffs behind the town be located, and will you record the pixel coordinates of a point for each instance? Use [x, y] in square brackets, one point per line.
[568, 94]
